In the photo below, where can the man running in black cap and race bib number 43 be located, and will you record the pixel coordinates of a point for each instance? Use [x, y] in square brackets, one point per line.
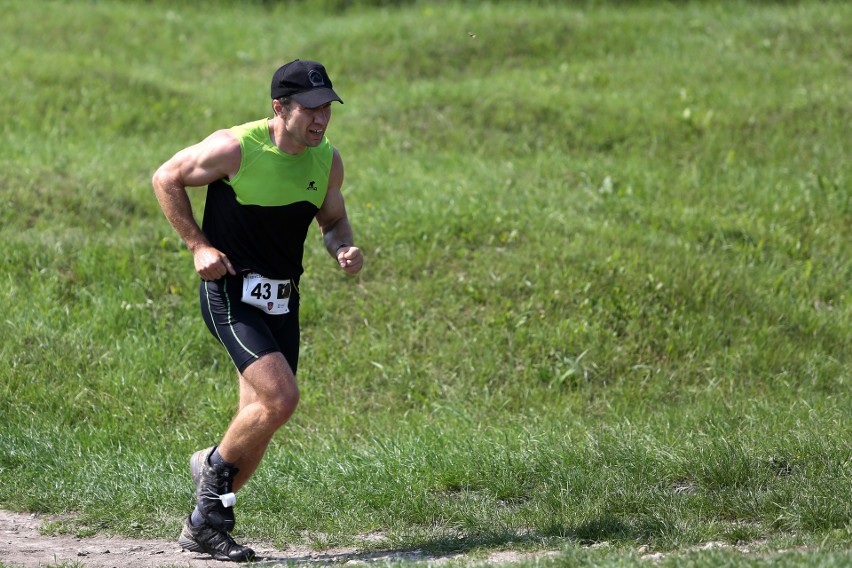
[266, 182]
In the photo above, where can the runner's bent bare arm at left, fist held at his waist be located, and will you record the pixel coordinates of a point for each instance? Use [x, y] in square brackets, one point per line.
[215, 157]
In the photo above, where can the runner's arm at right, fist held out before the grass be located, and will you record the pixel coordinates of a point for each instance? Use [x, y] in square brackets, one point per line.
[334, 223]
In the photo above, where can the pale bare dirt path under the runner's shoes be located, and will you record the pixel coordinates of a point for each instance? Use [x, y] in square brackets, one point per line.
[22, 545]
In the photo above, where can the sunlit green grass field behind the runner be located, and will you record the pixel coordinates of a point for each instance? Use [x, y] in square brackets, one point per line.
[606, 297]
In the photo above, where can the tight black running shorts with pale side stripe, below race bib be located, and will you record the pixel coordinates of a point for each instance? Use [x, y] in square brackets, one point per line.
[246, 331]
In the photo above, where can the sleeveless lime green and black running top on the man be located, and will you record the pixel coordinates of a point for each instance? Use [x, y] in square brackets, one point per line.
[261, 217]
